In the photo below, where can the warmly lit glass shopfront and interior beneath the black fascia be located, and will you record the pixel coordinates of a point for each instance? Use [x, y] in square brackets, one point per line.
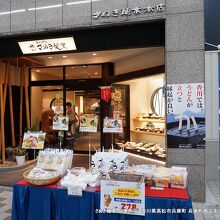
[132, 86]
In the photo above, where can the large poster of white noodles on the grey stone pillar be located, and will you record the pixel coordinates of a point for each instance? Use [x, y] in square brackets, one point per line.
[185, 115]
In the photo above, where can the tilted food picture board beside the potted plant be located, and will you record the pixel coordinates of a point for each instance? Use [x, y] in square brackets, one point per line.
[33, 140]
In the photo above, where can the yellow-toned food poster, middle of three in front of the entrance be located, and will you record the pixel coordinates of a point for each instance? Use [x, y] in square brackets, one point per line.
[88, 123]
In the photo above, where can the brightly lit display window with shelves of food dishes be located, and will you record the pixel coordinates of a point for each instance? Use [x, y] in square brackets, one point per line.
[147, 120]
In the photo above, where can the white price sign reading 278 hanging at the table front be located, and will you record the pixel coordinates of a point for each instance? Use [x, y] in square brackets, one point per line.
[122, 197]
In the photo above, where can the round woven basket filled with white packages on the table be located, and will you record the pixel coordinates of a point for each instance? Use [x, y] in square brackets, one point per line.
[41, 177]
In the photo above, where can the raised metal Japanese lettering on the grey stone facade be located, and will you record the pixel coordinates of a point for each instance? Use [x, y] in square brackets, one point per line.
[148, 9]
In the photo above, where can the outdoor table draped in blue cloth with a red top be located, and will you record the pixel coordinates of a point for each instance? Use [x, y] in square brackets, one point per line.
[52, 203]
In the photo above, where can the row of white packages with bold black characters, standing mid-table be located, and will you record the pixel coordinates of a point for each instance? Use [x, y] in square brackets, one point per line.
[104, 162]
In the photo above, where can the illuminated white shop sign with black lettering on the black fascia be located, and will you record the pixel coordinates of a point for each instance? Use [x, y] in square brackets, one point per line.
[48, 45]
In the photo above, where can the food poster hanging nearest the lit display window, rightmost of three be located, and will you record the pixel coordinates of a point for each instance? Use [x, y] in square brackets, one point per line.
[111, 125]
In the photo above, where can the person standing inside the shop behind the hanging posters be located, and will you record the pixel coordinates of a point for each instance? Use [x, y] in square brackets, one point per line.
[73, 119]
